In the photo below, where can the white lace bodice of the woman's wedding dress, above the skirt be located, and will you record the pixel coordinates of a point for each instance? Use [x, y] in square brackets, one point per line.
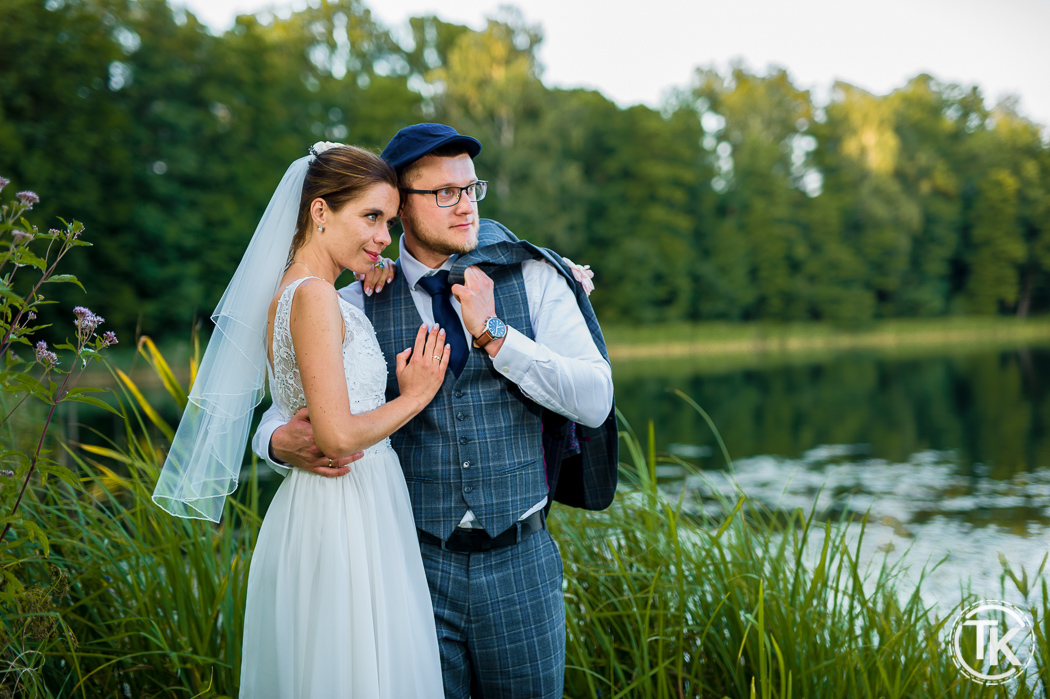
[364, 365]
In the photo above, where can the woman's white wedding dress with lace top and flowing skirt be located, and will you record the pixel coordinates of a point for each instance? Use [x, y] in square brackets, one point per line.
[339, 605]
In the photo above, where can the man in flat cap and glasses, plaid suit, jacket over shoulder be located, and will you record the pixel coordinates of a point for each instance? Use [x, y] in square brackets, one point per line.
[524, 416]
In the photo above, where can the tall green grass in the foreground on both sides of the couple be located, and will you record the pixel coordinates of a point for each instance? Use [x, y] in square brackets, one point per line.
[666, 597]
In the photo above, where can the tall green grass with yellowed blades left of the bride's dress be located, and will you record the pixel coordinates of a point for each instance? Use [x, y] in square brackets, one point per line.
[155, 604]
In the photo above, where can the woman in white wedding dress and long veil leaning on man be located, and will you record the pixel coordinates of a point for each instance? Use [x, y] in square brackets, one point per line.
[338, 603]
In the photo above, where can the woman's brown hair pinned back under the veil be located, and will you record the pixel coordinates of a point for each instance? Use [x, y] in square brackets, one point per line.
[339, 176]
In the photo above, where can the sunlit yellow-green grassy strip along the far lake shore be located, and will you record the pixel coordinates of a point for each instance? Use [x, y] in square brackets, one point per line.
[717, 344]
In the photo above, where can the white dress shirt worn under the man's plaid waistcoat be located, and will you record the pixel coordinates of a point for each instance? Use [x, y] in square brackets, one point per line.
[562, 369]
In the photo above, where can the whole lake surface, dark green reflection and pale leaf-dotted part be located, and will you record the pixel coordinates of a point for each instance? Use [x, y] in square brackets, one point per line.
[951, 455]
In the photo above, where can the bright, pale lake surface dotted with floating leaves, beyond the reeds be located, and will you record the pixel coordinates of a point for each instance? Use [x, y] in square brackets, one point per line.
[922, 510]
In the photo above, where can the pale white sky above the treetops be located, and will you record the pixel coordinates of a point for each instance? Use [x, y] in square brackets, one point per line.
[636, 52]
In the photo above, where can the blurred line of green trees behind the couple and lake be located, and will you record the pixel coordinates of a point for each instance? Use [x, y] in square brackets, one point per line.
[741, 199]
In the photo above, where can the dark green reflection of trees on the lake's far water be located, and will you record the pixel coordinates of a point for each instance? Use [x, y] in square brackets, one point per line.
[991, 409]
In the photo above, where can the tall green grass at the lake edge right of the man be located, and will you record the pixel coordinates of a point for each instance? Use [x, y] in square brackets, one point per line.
[736, 601]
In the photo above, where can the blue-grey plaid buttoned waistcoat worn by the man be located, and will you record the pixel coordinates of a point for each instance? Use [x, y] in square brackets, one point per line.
[478, 444]
